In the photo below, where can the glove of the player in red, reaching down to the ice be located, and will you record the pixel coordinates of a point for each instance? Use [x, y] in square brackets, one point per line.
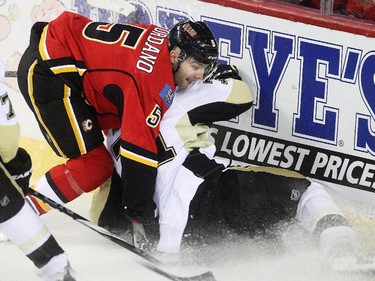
[138, 233]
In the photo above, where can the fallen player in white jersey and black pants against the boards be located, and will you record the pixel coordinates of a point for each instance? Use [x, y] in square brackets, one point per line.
[191, 181]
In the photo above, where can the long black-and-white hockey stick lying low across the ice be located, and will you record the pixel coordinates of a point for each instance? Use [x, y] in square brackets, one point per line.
[207, 276]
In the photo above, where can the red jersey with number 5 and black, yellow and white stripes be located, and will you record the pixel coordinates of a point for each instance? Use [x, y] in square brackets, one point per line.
[124, 72]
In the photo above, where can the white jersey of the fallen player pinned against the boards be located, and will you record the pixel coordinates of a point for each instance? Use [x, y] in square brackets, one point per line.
[182, 129]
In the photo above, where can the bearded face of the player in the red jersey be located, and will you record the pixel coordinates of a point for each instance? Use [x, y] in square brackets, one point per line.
[187, 71]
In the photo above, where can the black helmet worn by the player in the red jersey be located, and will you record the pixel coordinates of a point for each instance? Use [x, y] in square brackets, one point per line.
[195, 40]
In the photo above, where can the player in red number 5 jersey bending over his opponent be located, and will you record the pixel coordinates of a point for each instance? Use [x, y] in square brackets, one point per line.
[80, 77]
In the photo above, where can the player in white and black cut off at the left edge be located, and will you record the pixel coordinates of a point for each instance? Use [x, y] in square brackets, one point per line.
[18, 221]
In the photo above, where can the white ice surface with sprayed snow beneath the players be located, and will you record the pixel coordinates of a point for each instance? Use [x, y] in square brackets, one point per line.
[95, 258]
